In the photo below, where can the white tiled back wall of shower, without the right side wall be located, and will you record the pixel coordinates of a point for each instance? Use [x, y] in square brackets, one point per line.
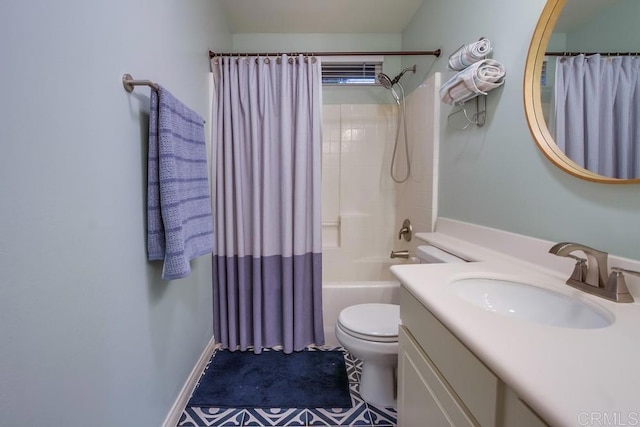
[358, 200]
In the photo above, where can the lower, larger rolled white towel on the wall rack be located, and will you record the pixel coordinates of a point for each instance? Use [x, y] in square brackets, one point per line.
[478, 79]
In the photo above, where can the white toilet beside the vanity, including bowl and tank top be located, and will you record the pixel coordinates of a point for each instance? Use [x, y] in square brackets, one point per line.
[370, 333]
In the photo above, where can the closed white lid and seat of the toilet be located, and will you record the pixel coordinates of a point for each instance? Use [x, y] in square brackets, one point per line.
[374, 322]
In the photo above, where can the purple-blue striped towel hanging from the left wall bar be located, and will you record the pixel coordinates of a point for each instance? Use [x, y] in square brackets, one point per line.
[179, 219]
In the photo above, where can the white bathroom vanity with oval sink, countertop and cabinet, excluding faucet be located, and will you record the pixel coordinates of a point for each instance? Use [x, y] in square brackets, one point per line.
[463, 365]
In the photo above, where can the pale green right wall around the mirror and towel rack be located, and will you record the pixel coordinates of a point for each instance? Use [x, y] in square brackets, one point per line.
[495, 175]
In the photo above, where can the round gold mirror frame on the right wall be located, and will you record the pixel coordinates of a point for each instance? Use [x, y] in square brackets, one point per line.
[533, 103]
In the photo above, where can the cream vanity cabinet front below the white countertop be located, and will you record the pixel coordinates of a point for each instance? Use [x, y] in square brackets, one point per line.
[442, 383]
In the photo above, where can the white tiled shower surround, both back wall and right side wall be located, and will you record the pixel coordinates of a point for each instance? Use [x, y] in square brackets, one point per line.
[362, 208]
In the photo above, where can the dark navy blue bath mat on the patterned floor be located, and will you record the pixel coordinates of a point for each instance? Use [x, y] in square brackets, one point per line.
[273, 379]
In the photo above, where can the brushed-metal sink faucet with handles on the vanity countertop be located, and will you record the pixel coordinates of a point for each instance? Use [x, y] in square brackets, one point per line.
[590, 275]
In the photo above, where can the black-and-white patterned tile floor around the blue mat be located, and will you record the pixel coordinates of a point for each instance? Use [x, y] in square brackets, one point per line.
[360, 414]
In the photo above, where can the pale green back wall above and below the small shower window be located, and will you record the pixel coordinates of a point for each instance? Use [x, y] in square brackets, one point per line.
[331, 43]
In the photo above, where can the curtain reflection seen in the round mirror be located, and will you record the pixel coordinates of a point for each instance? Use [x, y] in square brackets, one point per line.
[597, 113]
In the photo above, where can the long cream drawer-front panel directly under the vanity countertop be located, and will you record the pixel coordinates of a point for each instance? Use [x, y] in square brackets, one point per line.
[472, 381]
